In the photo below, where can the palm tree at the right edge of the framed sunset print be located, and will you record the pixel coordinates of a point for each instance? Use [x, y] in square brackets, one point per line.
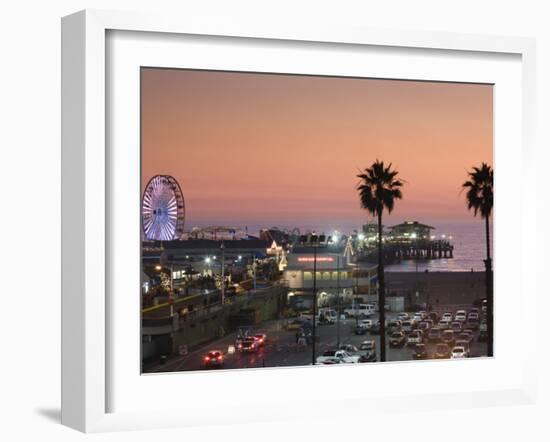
[480, 198]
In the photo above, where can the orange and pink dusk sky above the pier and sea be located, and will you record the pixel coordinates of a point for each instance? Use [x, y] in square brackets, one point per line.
[265, 150]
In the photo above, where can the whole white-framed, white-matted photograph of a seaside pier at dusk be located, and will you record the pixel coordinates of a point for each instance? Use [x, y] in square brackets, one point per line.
[268, 210]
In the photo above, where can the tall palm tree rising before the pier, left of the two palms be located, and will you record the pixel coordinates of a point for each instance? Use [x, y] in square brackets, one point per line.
[378, 190]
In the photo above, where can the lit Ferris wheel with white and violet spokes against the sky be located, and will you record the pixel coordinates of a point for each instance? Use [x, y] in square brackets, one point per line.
[163, 209]
